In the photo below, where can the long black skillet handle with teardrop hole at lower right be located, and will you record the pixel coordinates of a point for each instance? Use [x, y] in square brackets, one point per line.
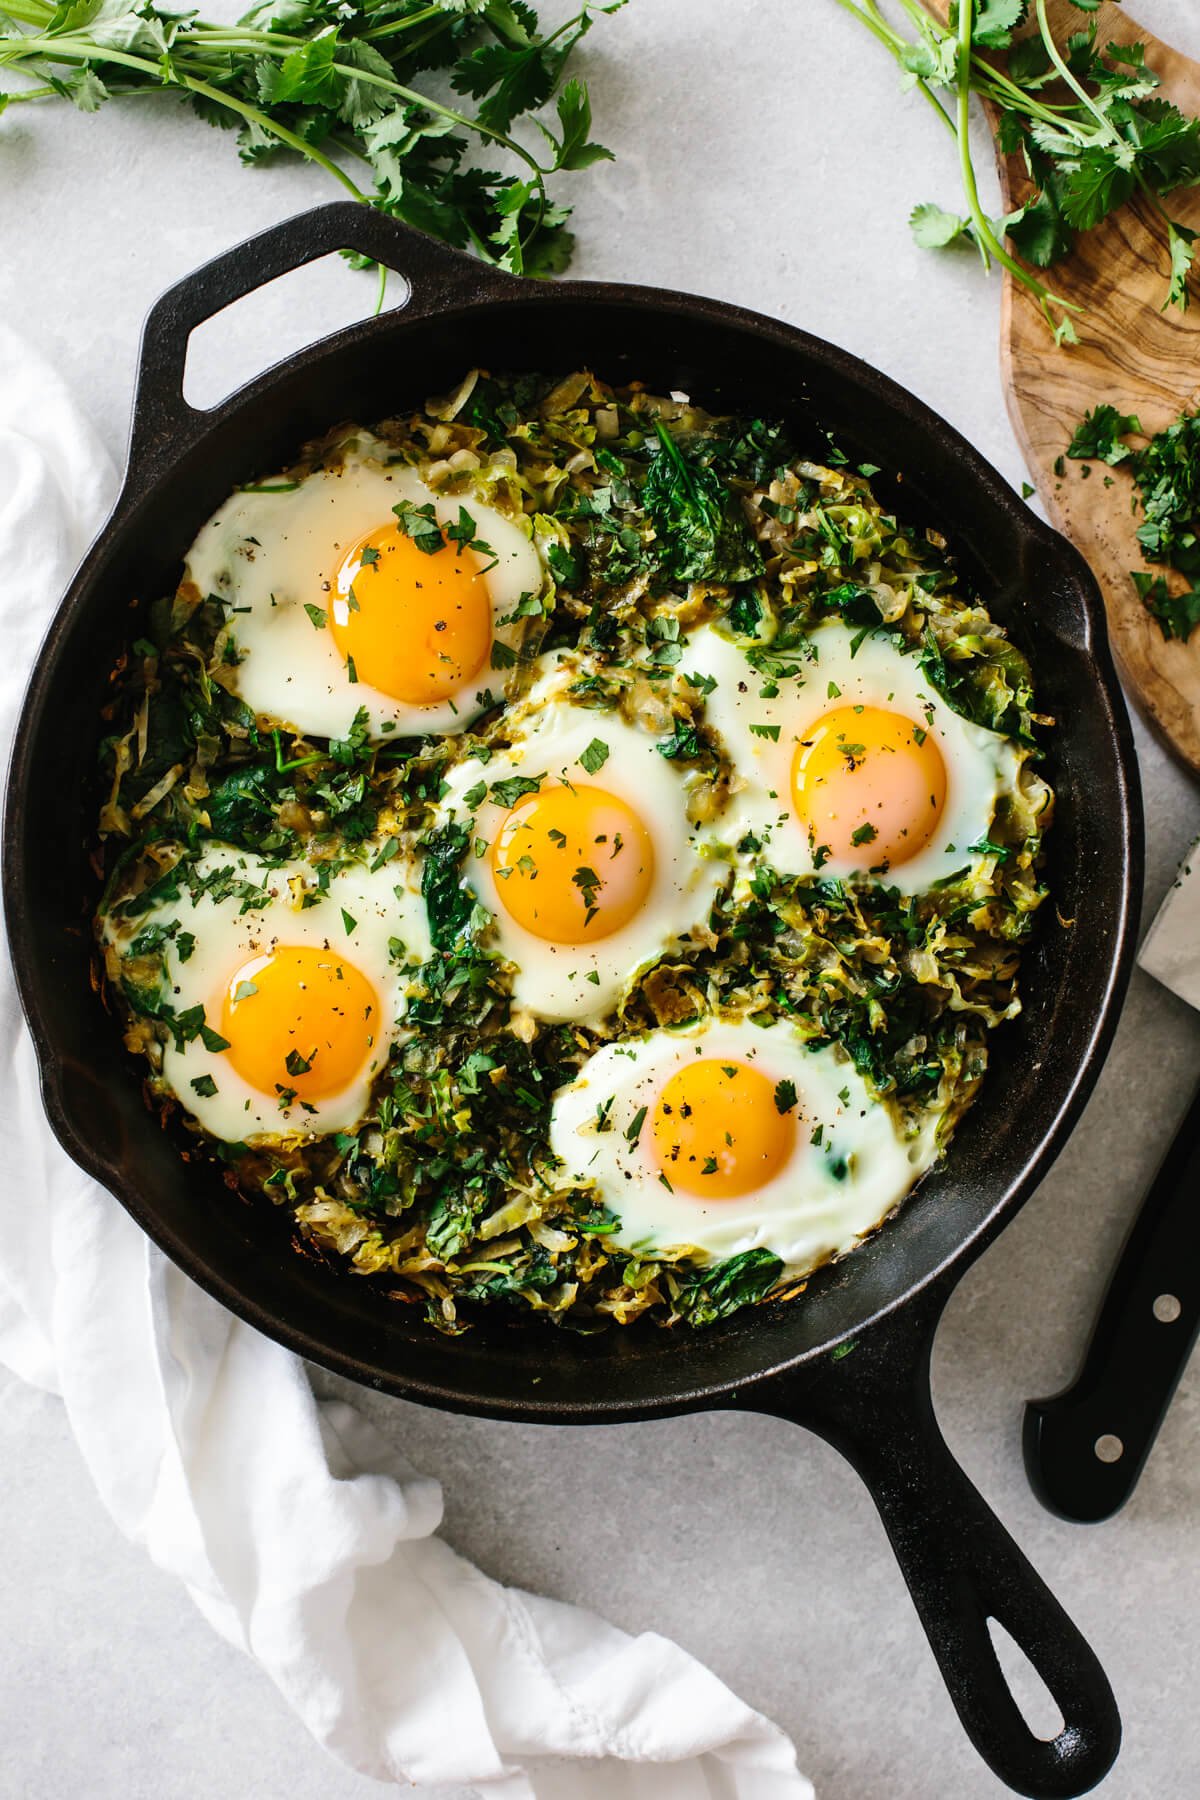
[873, 1405]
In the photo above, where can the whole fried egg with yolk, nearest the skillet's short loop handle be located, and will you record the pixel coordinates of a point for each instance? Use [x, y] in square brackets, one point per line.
[337, 604]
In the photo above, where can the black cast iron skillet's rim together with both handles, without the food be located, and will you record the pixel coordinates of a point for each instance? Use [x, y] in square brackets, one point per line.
[873, 1407]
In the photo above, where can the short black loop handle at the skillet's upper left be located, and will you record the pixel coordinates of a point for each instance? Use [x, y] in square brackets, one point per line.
[434, 274]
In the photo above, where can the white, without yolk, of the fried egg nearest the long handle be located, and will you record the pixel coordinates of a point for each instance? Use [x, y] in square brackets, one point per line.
[805, 1214]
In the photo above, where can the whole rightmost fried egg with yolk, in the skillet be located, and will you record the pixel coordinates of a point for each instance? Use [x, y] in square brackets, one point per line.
[854, 766]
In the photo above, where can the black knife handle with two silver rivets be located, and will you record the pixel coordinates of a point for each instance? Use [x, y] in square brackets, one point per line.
[1088, 1446]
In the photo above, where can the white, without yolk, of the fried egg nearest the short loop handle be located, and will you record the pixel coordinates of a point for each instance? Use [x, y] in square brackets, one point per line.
[267, 555]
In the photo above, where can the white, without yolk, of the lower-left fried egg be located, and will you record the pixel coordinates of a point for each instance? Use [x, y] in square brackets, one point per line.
[229, 931]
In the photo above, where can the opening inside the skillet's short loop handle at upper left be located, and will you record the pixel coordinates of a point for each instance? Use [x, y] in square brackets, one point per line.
[278, 321]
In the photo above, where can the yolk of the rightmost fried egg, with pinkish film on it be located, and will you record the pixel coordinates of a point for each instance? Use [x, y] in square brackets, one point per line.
[870, 786]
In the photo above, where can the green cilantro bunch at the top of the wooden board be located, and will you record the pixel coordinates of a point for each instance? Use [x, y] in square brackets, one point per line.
[1086, 120]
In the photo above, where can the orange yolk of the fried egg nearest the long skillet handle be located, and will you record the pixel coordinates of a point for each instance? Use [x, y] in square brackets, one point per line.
[717, 1131]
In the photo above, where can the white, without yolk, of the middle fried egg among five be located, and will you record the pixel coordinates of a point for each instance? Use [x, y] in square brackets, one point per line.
[551, 735]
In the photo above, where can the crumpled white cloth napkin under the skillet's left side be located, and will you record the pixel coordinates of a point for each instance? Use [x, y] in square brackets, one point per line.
[300, 1533]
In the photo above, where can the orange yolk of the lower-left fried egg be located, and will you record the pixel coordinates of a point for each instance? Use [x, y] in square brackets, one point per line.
[300, 1021]
